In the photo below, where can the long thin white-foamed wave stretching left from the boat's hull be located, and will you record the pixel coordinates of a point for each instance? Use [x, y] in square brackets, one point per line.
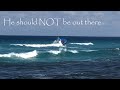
[39, 45]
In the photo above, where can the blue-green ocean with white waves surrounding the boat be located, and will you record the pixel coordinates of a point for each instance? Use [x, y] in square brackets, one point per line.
[36, 57]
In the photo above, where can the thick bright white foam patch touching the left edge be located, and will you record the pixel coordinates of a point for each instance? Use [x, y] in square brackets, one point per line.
[21, 55]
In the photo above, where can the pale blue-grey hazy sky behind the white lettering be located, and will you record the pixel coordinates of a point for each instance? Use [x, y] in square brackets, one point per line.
[67, 25]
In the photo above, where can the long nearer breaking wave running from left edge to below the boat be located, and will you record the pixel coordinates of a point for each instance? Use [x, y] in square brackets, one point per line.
[32, 54]
